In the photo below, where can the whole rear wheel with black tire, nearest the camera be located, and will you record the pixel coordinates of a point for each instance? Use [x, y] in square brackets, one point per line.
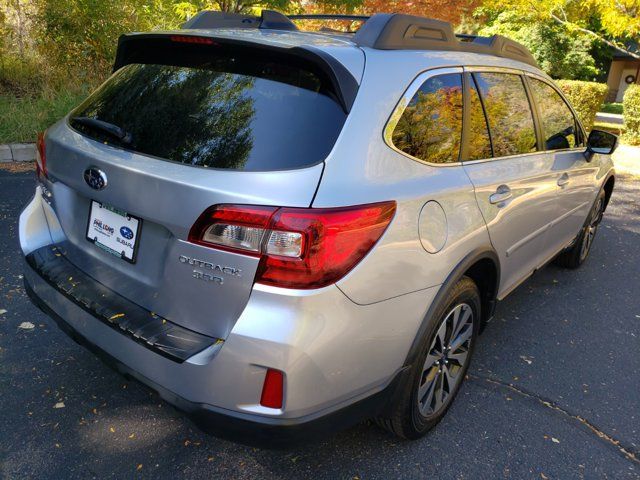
[416, 408]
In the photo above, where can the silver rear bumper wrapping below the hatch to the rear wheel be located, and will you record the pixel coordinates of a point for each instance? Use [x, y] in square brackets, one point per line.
[339, 358]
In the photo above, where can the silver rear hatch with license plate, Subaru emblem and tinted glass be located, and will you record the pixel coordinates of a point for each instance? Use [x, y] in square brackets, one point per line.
[184, 124]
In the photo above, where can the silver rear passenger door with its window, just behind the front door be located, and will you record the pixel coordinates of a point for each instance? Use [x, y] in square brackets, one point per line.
[515, 183]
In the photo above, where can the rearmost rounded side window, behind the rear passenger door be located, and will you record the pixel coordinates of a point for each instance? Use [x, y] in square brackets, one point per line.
[431, 126]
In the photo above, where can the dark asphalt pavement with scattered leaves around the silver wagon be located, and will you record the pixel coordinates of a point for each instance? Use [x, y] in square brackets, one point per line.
[553, 390]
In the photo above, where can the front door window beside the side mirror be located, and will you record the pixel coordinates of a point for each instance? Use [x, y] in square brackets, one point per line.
[559, 126]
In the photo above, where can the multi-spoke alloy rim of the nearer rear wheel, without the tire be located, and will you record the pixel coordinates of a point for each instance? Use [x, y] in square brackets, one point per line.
[446, 361]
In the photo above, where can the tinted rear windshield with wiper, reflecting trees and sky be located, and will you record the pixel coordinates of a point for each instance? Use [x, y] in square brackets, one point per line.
[228, 112]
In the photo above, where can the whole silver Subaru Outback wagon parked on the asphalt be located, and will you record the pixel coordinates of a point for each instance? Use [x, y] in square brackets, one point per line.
[285, 232]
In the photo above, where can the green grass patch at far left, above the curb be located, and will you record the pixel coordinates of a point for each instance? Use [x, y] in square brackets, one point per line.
[21, 118]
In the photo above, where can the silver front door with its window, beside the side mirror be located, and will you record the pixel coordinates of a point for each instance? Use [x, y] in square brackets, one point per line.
[564, 141]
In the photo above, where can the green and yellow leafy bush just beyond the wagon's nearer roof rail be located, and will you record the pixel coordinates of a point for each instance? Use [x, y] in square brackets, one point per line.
[559, 53]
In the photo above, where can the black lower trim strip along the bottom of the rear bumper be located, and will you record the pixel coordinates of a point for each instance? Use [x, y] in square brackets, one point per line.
[242, 427]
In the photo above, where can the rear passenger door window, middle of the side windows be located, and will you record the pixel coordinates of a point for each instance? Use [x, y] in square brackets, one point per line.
[508, 112]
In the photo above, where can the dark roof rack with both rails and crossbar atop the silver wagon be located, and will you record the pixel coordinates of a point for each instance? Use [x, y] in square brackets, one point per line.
[383, 31]
